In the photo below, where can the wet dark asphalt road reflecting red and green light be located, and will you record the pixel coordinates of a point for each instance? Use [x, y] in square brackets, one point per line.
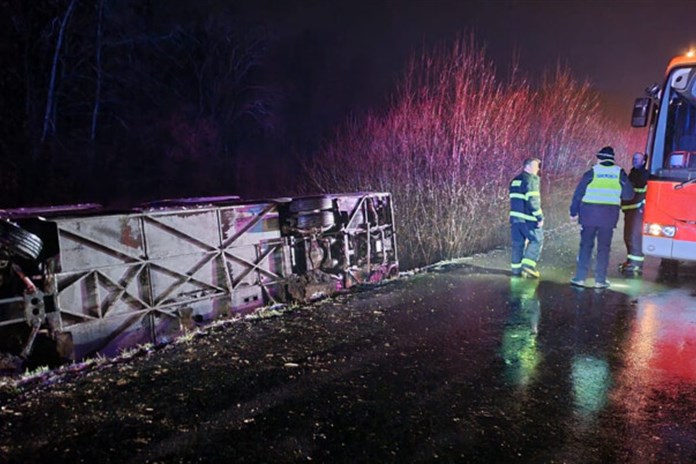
[461, 364]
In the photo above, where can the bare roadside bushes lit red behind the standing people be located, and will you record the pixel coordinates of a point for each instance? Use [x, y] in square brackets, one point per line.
[451, 140]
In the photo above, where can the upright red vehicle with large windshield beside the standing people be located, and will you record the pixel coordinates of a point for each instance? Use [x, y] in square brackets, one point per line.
[669, 112]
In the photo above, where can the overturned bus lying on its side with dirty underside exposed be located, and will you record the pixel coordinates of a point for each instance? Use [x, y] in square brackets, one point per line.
[76, 281]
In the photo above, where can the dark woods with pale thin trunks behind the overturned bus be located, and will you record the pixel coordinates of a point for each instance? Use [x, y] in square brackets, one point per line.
[120, 101]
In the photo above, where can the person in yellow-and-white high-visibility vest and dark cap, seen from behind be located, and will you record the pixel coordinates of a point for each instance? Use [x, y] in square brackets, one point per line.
[597, 201]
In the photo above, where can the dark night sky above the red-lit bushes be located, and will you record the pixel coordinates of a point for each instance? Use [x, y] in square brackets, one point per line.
[351, 52]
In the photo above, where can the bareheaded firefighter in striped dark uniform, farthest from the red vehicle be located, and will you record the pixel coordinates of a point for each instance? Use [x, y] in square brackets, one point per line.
[526, 220]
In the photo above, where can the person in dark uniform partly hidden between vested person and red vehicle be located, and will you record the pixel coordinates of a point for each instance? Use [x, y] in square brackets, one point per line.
[633, 217]
